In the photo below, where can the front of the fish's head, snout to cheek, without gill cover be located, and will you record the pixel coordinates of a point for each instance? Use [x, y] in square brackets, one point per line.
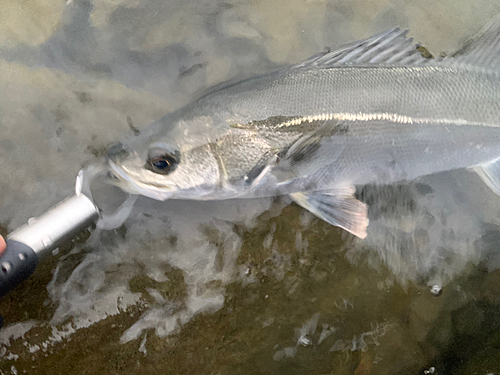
[170, 159]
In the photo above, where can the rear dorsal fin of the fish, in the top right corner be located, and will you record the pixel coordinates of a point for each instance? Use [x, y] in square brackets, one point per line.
[483, 50]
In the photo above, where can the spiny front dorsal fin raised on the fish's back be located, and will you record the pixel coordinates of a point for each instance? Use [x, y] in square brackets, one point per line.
[391, 47]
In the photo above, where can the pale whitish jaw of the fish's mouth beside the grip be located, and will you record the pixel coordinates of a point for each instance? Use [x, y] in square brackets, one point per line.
[125, 180]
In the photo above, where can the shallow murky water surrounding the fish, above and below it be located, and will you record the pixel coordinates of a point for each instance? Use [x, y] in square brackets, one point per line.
[256, 286]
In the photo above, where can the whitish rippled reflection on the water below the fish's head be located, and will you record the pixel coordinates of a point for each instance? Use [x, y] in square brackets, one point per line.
[160, 237]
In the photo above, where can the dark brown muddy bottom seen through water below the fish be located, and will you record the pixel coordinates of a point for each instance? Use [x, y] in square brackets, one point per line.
[300, 306]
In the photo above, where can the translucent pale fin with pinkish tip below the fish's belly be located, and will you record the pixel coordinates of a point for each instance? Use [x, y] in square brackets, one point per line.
[337, 207]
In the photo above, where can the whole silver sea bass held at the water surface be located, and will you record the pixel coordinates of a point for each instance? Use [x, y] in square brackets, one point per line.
[371, 112]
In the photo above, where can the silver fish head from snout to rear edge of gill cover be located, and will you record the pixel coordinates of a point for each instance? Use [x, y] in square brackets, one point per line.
[195, 157]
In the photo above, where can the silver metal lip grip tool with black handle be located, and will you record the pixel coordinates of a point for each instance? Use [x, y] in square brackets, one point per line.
[36, 239]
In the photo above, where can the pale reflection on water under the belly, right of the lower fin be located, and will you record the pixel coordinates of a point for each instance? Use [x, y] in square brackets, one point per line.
[432, 228]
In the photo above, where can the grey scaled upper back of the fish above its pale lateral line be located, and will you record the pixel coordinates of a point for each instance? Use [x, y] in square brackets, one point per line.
[443, 94]
